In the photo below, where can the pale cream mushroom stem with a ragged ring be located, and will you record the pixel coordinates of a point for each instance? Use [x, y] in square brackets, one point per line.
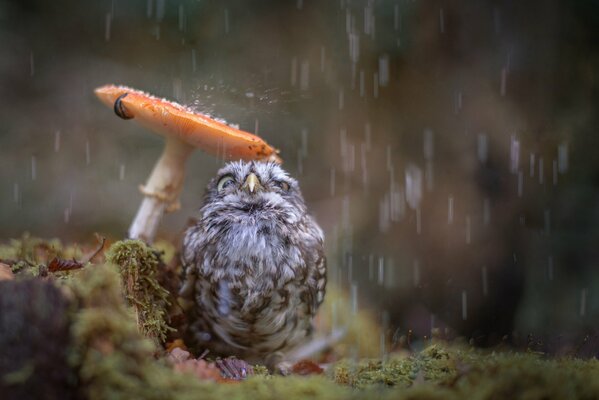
[161, 192]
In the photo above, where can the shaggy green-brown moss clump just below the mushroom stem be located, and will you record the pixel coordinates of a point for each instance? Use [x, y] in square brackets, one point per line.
[138, 265]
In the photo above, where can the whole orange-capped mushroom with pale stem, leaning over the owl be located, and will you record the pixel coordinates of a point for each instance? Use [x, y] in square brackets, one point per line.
[183, 130]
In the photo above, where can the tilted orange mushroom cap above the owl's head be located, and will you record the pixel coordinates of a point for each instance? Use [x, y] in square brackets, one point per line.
[171, 119]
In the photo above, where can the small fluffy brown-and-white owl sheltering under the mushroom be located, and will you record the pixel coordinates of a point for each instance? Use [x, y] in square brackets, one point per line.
[255, 270]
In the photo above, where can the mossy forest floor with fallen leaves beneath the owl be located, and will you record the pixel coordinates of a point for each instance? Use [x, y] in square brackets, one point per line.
[83, 323]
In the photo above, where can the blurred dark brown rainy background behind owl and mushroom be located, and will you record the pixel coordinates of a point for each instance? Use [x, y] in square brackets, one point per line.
[449, 149]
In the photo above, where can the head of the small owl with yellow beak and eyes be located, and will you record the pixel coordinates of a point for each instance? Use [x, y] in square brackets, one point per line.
[257, 189]
